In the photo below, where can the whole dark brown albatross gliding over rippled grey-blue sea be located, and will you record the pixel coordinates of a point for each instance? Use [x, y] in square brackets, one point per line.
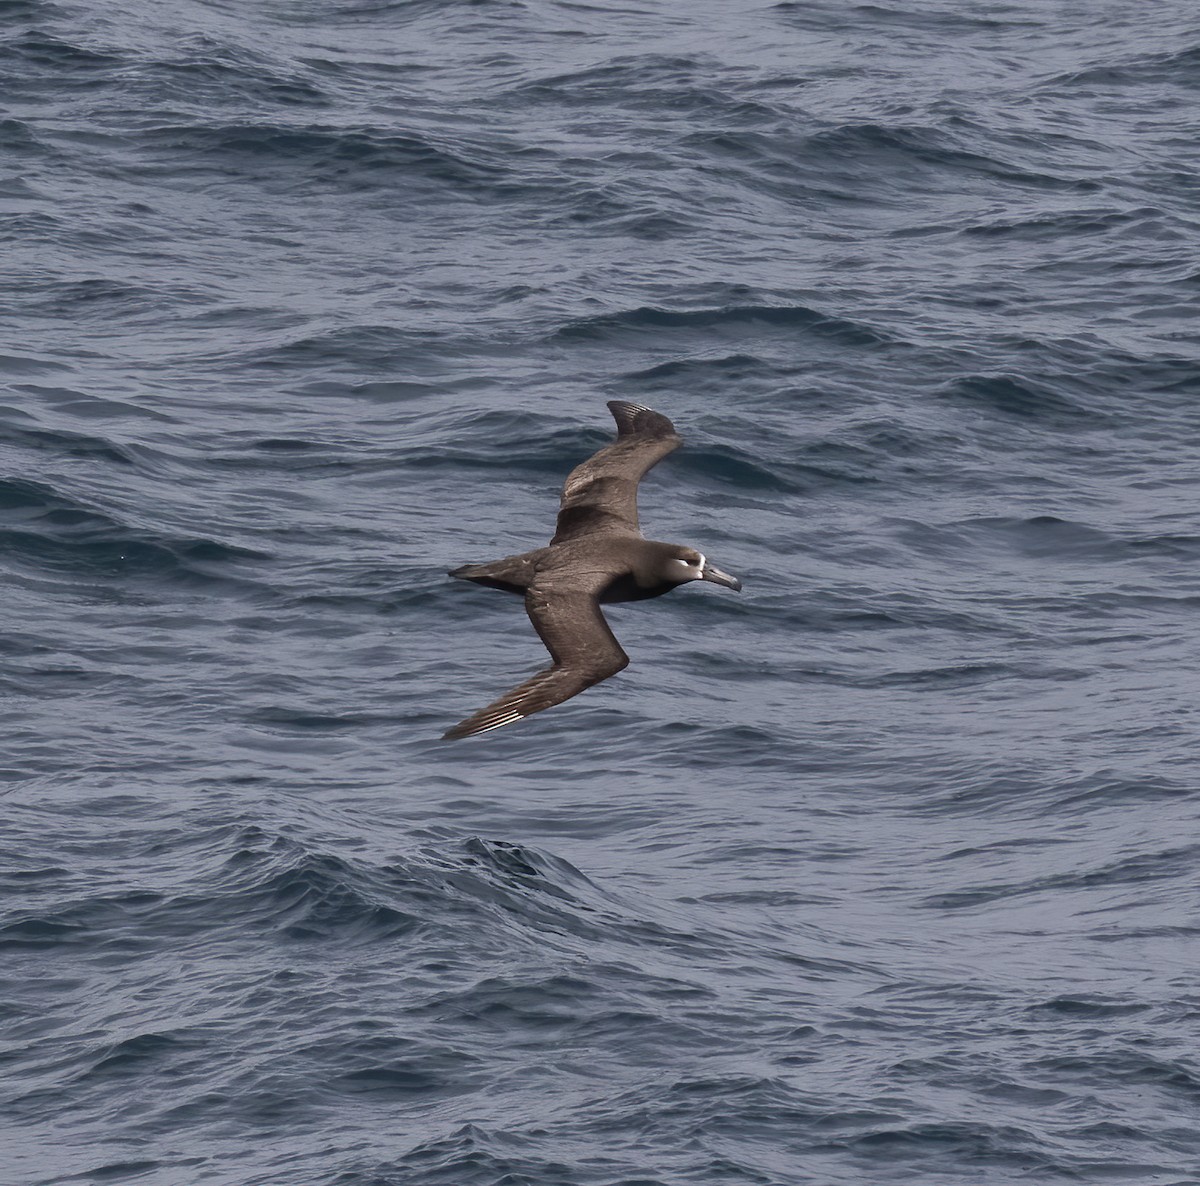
[598, 556]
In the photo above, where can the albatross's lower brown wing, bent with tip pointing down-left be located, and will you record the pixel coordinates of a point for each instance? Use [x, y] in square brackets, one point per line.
[584, 649]
